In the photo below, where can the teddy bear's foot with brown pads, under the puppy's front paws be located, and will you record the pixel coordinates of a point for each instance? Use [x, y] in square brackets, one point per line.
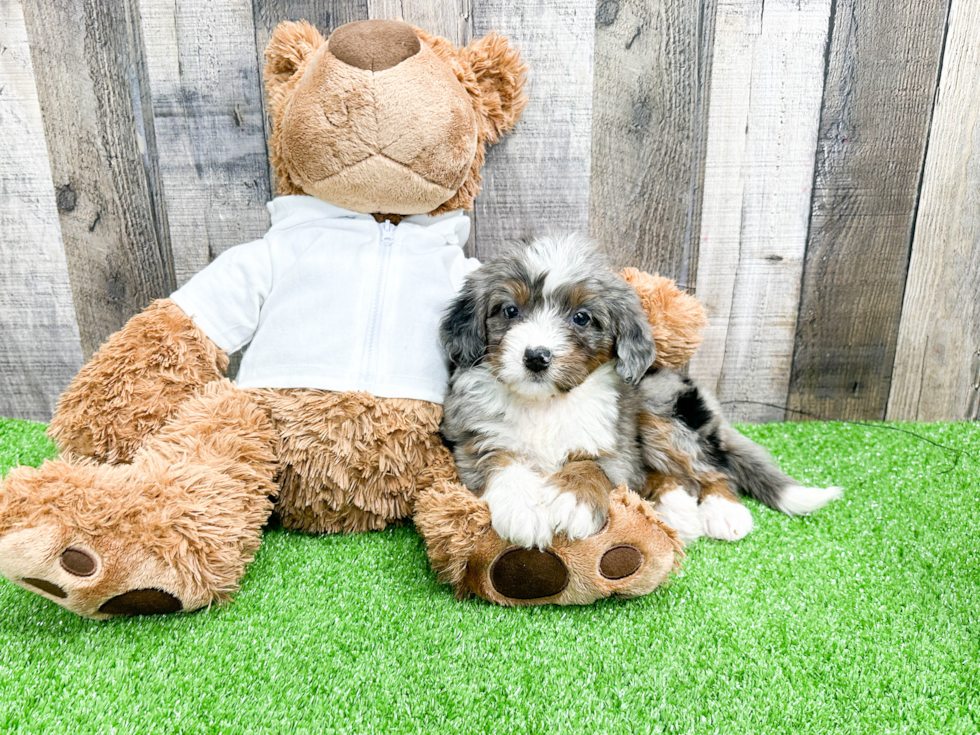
[630, 556]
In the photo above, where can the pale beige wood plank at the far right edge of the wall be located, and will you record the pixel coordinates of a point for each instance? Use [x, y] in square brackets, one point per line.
[937, 362]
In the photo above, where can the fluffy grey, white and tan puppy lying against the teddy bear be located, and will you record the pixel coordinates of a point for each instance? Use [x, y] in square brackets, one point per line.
[552, 402]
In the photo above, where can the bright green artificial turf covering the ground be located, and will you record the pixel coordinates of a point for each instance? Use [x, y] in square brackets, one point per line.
[862, 619]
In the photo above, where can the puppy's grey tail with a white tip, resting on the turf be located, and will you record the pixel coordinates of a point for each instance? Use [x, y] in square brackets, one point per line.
[756, 474]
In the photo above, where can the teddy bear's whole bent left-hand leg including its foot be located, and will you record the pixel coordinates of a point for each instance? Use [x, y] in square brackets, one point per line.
[172, 531]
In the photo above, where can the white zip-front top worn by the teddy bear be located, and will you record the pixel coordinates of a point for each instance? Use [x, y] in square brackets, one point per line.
[331, 299]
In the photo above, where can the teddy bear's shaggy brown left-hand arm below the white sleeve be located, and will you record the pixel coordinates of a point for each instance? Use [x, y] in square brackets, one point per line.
[134, 383]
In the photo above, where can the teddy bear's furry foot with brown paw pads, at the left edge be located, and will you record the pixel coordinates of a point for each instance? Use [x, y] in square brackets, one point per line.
[104, 541]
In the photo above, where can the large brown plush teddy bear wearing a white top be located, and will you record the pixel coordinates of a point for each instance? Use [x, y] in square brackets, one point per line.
[169, 471]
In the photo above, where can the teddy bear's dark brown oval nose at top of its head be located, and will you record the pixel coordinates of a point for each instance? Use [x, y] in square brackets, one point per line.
[374, 45]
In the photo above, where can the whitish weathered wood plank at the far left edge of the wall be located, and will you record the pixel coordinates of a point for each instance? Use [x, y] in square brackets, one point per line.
[40, 350]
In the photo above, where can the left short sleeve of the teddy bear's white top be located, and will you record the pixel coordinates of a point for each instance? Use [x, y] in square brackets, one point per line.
[225, 298]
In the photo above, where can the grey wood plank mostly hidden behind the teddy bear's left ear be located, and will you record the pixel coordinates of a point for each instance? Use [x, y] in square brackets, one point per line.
[324, 14]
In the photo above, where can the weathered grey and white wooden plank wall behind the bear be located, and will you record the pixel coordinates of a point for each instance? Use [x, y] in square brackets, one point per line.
[808, 166]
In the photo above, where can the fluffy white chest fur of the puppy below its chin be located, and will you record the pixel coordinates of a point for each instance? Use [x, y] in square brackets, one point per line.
[545, 431]
